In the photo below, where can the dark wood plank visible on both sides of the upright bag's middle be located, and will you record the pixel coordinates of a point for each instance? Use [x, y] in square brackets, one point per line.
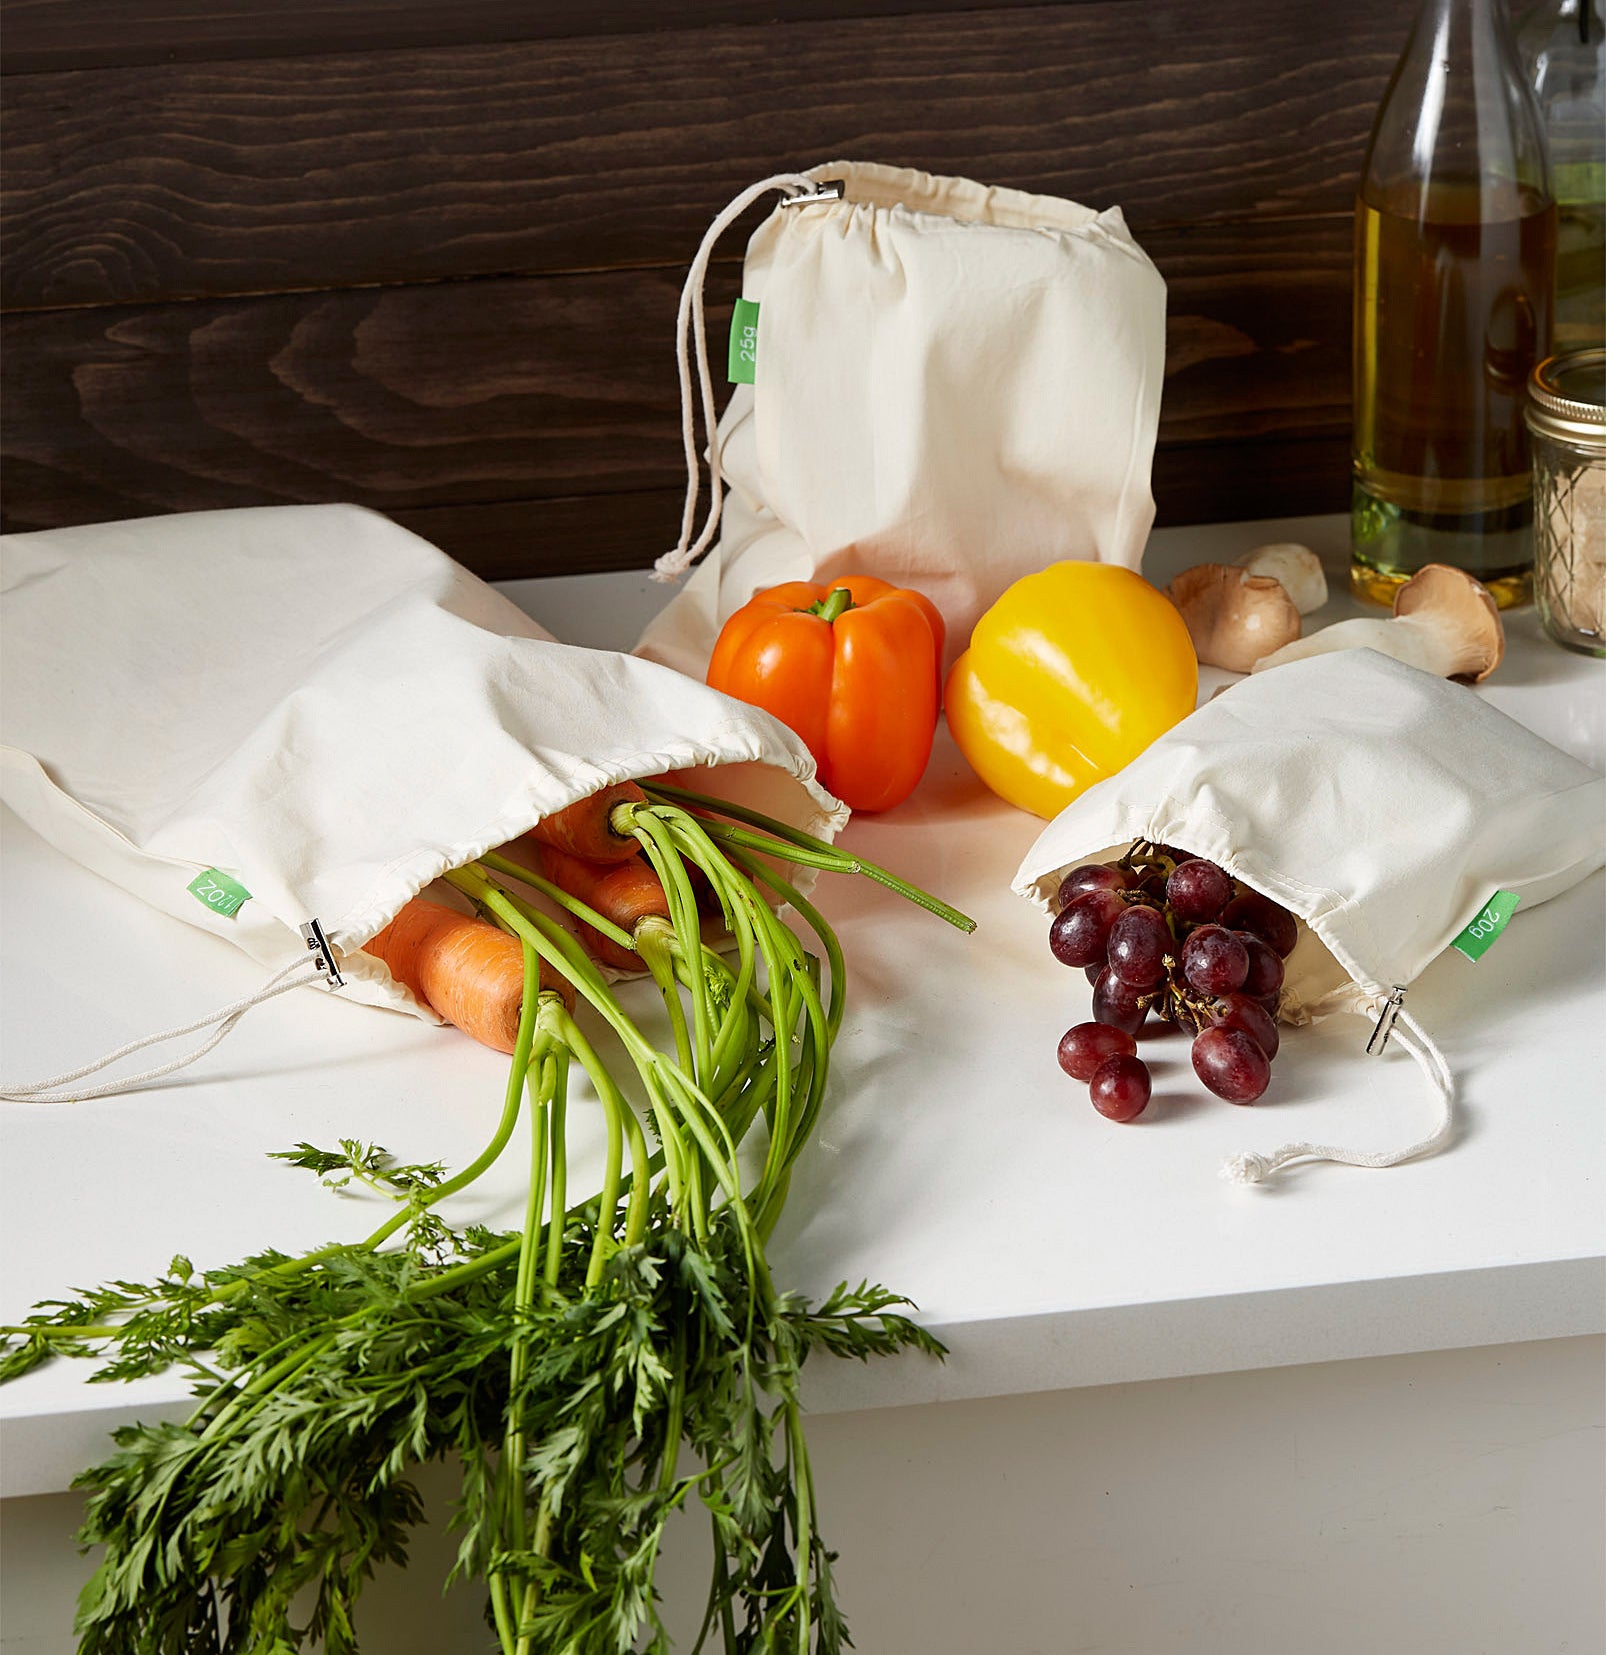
[549, 386]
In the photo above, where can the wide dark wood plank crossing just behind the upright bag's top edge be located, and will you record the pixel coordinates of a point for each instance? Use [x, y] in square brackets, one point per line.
[410, 166]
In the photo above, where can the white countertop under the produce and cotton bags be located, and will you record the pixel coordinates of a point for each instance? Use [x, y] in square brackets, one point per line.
[954, 1161]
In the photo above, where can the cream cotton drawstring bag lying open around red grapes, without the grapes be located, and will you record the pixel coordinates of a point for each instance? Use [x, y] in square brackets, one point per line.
[1380, 805]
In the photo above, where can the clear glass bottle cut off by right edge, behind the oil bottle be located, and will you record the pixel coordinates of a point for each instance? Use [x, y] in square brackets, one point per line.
[1564, 49]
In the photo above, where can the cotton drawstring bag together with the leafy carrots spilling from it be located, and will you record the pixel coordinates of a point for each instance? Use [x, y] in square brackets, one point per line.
[411, 790]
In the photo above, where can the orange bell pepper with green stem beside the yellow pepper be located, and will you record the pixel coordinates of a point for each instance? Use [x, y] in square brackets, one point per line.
[855, 668]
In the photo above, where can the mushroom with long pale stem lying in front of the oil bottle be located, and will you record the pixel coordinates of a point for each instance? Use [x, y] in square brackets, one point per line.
[1445, 621]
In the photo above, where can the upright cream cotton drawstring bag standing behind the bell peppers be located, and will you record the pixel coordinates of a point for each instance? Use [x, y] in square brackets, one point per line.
[950, 386]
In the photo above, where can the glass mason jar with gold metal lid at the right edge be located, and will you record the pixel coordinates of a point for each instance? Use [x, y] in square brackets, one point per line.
[1567, 426]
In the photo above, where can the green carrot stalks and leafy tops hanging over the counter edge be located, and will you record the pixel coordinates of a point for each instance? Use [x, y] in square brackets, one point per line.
[685, 1227]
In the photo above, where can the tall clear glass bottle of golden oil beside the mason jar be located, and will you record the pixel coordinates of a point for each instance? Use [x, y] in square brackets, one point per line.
[1456, 237]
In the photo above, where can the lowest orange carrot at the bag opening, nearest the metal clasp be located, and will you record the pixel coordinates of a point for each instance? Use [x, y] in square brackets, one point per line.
[463, 967]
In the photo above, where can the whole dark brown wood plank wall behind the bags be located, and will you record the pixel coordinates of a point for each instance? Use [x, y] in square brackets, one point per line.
[428, 257]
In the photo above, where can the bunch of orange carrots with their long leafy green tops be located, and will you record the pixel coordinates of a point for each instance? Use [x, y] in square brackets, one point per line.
[617, 1360]
